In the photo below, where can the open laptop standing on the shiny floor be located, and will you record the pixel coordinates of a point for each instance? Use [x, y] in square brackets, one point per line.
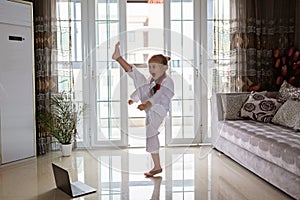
[63, 183]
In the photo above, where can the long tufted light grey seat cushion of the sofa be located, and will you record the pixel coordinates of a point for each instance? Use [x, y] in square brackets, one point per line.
[271, 142]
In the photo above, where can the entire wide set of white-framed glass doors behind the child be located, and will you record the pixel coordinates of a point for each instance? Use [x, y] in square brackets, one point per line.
[144, 29]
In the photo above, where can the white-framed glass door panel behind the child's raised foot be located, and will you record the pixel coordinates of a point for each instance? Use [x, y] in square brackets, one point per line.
[107, 82]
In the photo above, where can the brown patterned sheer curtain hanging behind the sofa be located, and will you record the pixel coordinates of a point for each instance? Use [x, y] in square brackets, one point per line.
[254, 29]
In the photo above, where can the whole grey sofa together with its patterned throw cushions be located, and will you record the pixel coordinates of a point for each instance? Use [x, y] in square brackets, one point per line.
[258, 142]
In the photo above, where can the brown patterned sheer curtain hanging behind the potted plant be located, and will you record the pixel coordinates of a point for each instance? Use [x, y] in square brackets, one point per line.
[48, 50]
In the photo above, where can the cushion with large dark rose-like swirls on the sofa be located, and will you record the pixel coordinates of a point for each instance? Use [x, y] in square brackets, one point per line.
[260, 108]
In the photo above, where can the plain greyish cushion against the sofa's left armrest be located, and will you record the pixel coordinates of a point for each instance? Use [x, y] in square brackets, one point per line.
[232, 104]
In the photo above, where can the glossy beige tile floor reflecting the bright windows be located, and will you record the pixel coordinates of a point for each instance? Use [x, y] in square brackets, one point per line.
[189, 173]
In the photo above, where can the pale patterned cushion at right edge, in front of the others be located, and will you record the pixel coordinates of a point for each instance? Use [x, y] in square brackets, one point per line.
[288, 115]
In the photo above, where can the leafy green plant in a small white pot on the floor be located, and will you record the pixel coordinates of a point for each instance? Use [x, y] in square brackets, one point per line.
[60, 120]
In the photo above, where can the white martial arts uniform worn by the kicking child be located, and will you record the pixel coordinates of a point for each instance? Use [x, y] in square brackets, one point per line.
[160, 104]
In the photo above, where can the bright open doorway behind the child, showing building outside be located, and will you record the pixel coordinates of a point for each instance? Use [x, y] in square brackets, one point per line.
[144, 30]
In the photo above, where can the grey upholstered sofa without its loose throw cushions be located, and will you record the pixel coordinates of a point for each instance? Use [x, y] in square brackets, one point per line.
[270, 151]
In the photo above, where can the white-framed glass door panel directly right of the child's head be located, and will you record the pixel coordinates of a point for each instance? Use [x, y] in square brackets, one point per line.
[185, 122]
